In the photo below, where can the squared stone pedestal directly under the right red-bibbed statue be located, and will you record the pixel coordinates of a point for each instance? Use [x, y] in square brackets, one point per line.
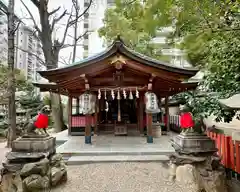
[193, 143]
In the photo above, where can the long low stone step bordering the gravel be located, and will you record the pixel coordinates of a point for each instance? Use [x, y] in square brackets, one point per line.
[78, 160]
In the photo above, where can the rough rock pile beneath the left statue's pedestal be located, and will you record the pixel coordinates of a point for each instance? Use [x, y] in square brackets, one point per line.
[37, 176]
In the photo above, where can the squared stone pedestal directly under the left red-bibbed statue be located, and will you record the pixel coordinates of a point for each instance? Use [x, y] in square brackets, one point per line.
[34, 144]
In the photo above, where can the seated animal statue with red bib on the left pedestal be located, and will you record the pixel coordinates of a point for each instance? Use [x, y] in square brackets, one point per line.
[39, 122]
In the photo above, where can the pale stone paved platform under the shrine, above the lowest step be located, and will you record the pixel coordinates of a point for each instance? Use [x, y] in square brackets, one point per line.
[119, 144]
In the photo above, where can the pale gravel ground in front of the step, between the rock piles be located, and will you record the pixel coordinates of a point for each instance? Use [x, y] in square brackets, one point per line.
[119, 177]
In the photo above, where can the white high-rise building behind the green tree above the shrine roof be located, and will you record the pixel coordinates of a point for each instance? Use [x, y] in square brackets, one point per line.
[93, 44]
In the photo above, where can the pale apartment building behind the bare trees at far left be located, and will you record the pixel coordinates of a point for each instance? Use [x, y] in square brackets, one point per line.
[28, 52]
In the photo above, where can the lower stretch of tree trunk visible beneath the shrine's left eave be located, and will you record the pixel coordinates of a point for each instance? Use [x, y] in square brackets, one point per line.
[57, 112]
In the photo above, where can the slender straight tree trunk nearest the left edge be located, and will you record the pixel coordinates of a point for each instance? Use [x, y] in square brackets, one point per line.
[11, 79]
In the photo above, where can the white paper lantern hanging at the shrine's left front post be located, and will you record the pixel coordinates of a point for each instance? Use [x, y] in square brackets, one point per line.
[87, 103]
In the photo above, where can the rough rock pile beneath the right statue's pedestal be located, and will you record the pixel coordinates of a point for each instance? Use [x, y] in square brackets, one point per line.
[198, 173]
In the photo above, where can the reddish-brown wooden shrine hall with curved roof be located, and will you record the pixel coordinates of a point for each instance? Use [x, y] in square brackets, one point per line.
[117, 80]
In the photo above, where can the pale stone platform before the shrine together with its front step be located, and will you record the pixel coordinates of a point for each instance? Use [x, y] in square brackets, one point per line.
[109, 148]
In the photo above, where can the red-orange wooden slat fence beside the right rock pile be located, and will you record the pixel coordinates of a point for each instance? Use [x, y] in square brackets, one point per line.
[229, 151]
